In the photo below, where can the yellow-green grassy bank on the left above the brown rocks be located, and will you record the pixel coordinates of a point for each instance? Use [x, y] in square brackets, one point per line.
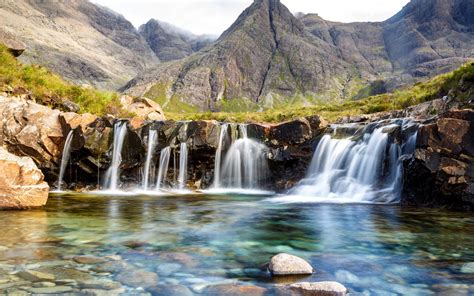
[49, 89]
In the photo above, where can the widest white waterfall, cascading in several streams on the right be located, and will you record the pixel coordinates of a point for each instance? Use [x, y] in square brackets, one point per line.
[364, 166]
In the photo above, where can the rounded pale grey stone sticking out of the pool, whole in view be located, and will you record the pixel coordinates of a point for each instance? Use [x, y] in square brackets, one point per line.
[285, 264]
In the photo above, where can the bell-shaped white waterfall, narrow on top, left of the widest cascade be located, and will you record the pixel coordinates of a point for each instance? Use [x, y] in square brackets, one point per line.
[245, 164]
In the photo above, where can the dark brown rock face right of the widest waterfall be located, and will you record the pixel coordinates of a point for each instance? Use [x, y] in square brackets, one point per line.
[442, 170]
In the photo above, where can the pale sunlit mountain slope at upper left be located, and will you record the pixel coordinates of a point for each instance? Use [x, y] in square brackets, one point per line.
[81, 41]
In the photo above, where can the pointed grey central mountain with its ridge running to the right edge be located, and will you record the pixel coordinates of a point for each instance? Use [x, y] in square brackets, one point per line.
[269, 55]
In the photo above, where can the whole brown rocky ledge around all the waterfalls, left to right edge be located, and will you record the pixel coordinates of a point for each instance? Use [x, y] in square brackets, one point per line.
[443, 159]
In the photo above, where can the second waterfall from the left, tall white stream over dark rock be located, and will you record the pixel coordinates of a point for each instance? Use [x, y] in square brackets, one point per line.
[113, 173]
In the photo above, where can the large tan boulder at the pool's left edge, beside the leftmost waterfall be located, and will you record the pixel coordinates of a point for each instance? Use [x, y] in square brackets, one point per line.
[21, 183]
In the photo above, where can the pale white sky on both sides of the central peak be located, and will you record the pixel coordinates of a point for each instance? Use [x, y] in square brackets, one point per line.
[214, 16]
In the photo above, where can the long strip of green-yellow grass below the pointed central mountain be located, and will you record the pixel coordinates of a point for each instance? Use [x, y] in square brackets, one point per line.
[459, 83]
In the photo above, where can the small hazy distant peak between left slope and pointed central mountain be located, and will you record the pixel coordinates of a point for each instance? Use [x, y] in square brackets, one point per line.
[171, 43]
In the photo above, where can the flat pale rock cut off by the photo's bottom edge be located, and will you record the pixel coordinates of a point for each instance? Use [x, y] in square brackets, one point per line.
[319, 289]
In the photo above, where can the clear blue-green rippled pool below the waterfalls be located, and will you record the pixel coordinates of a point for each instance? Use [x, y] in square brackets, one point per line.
[203, 240]
